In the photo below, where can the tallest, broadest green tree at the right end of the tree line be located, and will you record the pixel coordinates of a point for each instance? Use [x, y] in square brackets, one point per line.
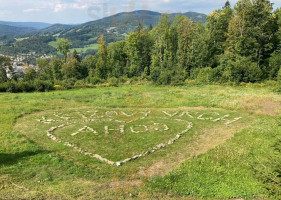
[251, 31]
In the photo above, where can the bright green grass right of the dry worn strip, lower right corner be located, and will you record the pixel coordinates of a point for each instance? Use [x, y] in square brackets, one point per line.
[248, 166]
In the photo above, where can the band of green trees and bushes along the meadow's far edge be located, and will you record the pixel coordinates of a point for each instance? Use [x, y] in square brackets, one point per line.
[240, 44]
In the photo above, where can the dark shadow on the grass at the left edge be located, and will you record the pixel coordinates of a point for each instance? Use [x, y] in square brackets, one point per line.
[10, 159]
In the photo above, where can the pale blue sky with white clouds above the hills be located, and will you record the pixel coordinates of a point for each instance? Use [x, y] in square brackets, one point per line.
[79, 11]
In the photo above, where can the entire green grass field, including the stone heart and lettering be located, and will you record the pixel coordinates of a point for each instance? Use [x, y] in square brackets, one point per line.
[232, 149]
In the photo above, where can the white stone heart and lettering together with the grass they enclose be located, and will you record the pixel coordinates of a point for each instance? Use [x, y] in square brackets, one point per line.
[114, 135]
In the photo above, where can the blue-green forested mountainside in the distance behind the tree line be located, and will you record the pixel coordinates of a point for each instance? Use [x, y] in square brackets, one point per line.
[114, 28]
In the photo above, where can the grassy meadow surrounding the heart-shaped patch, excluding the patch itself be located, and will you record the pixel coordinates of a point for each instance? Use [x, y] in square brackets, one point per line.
[247, 165]
